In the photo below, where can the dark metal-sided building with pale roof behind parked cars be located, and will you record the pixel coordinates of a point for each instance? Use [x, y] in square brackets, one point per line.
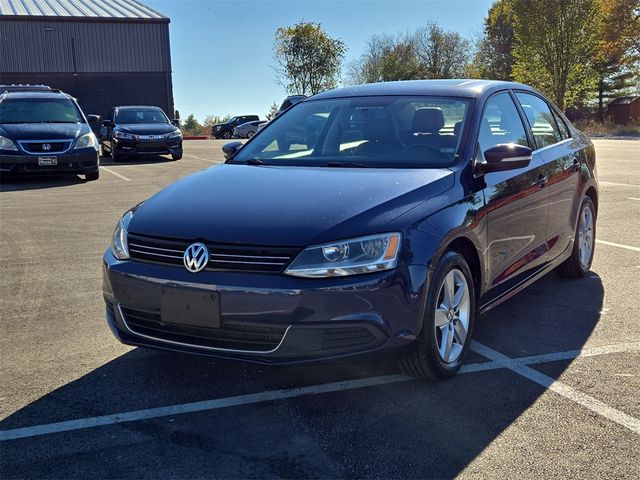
[103, 52]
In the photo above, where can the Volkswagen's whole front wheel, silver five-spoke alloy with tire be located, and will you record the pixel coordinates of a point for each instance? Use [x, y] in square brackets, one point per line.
[448, 322]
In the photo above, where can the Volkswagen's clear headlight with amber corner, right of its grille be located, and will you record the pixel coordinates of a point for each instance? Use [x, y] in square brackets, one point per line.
[348, 257]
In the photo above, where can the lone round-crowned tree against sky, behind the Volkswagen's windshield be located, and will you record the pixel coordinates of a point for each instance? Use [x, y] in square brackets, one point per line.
[308, 60]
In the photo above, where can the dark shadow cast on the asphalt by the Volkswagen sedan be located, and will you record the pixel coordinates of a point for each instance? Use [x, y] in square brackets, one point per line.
[408, 429]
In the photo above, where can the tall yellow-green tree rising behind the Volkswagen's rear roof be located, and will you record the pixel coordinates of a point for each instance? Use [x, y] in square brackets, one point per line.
[554, 44]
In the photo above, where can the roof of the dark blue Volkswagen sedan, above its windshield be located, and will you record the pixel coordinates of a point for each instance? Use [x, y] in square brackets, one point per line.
[449, 88]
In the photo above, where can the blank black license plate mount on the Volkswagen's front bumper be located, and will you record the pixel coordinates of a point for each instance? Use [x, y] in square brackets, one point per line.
[184, 307]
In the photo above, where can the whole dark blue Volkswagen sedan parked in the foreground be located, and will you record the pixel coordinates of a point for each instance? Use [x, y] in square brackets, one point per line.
[375, 218]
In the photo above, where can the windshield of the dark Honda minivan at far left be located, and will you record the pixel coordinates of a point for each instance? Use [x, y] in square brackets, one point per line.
[39, 110]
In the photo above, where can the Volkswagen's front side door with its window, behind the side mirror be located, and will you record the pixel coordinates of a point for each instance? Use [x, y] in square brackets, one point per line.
[516, 202]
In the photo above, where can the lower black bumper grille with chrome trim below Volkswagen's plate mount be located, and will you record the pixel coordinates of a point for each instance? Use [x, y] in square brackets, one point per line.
[236, 336]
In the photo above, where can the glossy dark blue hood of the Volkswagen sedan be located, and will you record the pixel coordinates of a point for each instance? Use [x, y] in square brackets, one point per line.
[287, 206]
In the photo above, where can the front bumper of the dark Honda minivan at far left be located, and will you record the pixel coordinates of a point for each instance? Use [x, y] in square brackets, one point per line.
[81, 161]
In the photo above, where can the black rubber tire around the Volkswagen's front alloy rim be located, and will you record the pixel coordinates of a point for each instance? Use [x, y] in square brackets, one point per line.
[423, 359]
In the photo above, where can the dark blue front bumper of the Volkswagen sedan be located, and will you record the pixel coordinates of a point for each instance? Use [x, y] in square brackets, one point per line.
[267, 318]
